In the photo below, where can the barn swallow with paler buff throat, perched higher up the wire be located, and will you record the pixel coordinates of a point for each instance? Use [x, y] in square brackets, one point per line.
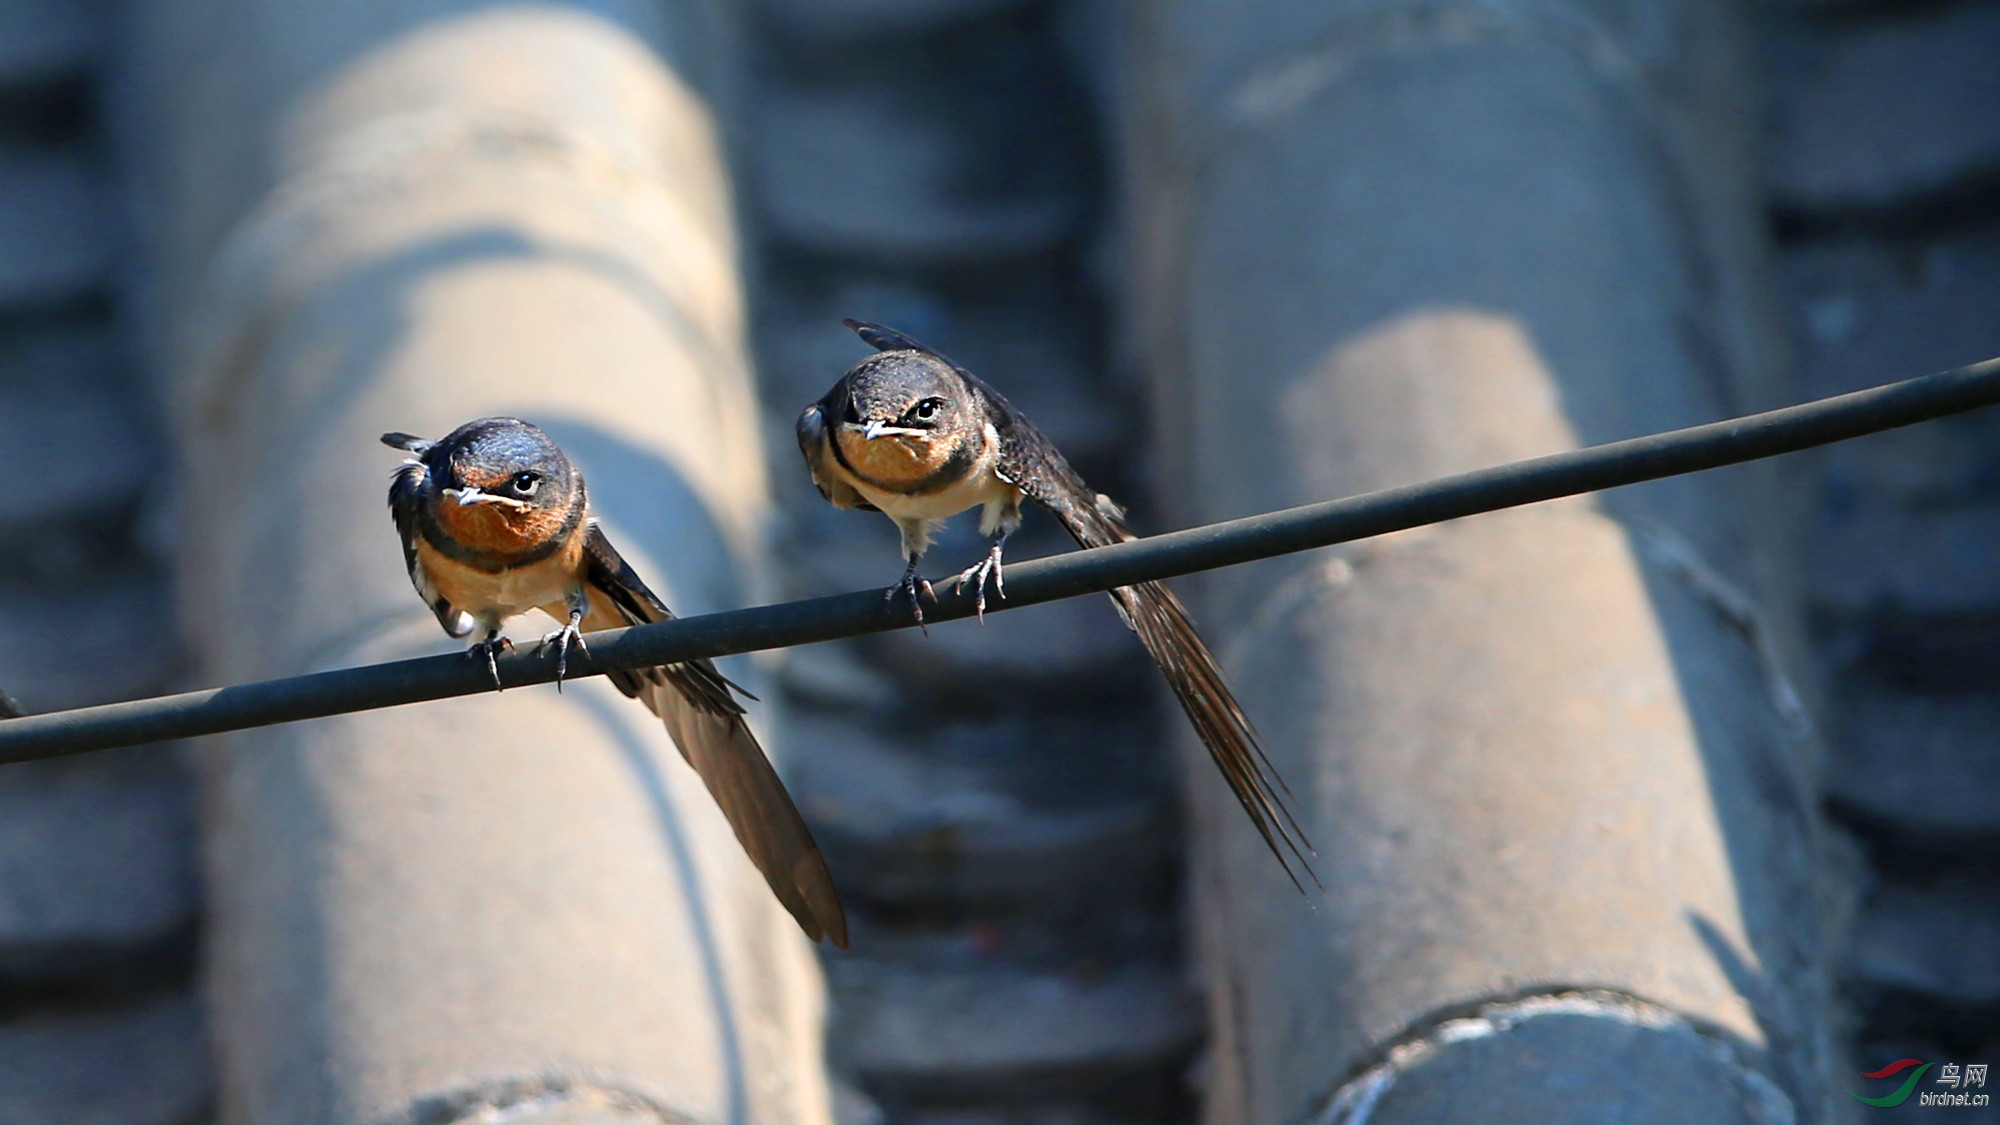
[921, 439]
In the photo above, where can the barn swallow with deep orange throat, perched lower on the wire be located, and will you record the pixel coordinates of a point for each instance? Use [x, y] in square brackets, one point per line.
[495, 521]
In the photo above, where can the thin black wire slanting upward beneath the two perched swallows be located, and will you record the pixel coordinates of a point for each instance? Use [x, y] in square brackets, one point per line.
[1027, 584]
